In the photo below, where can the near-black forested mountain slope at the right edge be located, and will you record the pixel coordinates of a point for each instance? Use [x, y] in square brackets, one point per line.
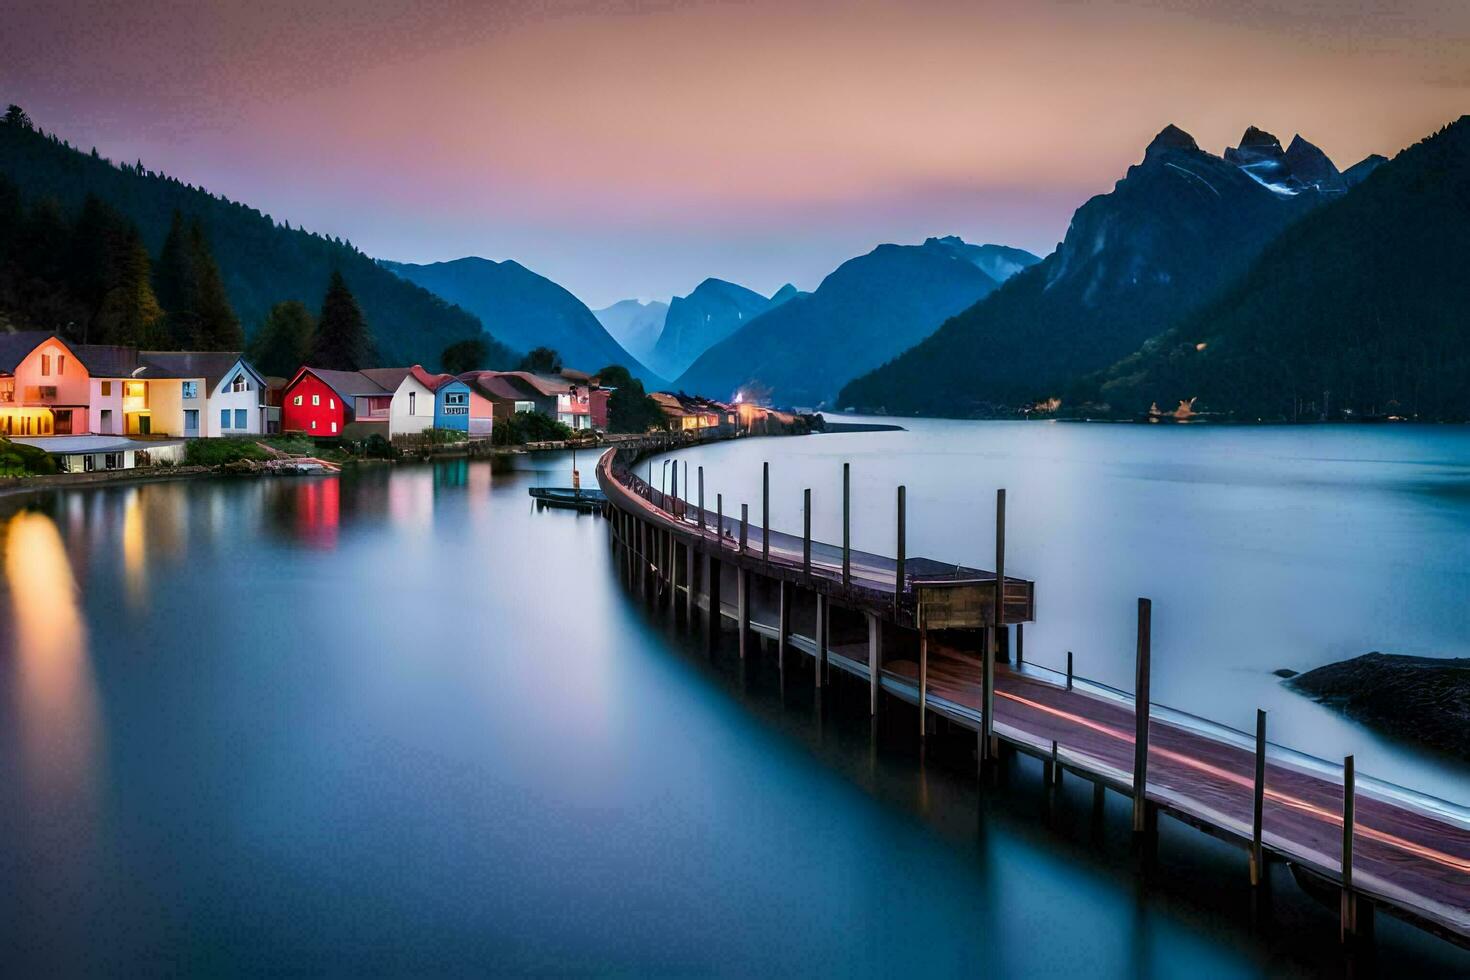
[1359, 309]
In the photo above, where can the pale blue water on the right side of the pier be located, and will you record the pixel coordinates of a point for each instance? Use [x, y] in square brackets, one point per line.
[1262, 547]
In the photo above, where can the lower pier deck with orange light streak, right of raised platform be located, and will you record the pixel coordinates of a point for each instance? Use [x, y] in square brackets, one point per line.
[1408, 850]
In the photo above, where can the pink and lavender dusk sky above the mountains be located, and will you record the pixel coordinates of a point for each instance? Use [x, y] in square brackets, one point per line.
[636, 149]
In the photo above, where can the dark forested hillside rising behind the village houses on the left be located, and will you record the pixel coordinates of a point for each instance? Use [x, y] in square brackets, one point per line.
[261, 262]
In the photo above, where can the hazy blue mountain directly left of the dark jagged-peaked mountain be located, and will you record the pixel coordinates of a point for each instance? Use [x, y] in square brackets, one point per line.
[864, 314]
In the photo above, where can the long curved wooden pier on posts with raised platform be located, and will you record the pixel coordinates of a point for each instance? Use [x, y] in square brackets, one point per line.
[927, 634]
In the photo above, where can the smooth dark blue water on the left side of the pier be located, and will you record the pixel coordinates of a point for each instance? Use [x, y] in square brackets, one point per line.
[401, 722]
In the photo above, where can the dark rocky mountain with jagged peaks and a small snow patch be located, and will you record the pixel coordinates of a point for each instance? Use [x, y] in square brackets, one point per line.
[1174, 231]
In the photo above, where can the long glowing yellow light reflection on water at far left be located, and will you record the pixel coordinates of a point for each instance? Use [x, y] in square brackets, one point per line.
[57, 702]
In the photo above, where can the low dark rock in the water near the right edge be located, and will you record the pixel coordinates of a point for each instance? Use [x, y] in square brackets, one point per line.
[1419, 699]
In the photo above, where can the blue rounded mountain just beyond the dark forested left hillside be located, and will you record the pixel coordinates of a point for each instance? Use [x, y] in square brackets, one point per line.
[527, 311]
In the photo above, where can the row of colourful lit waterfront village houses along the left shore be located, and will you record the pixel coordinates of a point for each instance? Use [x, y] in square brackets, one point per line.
[95, 408]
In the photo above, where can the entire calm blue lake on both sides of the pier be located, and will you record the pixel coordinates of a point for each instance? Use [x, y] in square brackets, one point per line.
[405, 722]
